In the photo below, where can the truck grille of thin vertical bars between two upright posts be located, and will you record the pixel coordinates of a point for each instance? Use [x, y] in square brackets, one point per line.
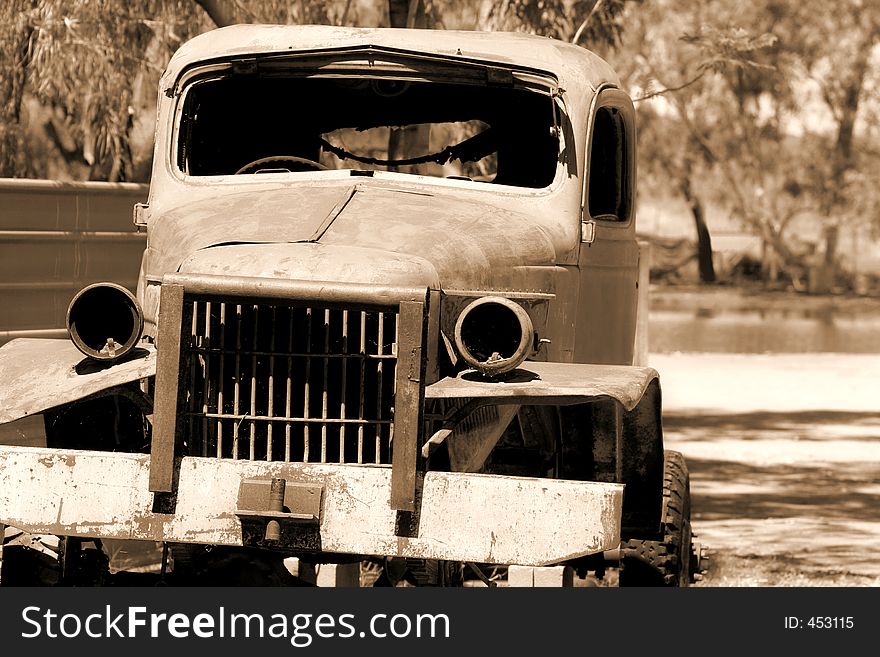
[293, 383]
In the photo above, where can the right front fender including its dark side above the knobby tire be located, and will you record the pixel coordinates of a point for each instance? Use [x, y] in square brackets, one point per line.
[613, 408]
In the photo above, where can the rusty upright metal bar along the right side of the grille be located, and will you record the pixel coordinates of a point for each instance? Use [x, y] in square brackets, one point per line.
[408, 406]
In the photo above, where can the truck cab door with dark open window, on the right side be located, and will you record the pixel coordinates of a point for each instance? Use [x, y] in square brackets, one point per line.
[608, 262]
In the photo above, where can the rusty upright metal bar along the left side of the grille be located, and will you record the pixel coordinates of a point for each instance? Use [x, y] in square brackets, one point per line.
[168, 382]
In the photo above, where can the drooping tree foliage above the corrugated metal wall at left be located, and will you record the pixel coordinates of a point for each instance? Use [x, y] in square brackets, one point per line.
[80, 74]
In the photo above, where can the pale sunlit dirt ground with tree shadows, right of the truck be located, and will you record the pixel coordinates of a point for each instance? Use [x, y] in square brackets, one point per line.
[784, 456]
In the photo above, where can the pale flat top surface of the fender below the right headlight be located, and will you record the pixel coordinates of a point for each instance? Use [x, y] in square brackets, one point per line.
[551, 383]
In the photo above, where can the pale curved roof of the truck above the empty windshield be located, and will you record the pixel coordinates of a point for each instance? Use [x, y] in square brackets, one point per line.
[577, 69]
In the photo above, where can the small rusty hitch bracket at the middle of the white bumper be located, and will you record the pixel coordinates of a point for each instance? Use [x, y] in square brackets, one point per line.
[277, 514]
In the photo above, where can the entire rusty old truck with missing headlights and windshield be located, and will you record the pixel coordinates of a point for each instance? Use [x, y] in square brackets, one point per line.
[387, 314]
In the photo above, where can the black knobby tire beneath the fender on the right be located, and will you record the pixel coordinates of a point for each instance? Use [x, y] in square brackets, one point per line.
[665, 562]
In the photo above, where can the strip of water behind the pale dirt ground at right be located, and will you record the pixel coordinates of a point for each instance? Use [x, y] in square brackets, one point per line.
[763, 331]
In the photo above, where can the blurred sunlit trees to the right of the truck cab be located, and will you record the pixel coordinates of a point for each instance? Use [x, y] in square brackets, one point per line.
[758, 106]
